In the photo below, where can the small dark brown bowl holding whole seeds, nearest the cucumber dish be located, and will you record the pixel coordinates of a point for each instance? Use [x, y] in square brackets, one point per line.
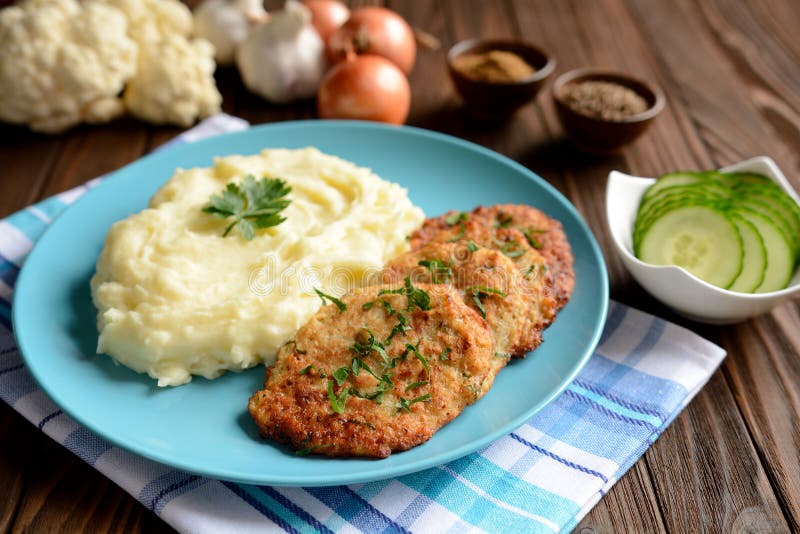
[603, 136]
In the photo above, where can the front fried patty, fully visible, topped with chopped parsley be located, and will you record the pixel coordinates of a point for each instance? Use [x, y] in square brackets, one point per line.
[379, 371]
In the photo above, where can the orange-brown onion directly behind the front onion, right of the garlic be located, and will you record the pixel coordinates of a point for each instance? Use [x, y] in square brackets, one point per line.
[375, 30]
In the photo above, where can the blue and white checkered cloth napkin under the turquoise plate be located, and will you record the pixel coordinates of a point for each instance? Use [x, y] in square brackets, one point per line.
[543, 477]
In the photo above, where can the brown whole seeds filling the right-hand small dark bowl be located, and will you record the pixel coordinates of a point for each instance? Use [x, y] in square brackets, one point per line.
[602, 100]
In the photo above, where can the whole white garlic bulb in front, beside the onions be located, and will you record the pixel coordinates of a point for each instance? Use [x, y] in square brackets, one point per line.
[283, 59]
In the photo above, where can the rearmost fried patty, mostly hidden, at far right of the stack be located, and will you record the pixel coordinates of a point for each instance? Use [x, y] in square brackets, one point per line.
[540, 232]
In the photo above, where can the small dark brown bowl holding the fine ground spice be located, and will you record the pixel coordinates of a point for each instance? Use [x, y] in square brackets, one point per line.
[498, 100]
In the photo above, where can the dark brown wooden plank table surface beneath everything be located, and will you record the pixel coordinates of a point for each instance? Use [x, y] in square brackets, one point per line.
[731, 72]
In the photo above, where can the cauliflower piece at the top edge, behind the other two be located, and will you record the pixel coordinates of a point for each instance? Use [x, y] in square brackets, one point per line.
[150, 20]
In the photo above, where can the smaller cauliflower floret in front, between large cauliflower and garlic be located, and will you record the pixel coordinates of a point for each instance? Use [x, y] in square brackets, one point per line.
[174, 82]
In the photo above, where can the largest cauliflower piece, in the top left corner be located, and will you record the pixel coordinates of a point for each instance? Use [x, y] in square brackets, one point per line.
[62, 63]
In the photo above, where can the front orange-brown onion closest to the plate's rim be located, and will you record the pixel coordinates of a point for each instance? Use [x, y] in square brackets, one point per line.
[365, 88]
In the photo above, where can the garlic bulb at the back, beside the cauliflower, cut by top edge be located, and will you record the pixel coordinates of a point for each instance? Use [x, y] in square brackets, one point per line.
[225, 23]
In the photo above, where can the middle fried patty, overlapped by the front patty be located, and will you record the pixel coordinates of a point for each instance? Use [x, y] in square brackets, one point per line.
[489, 281]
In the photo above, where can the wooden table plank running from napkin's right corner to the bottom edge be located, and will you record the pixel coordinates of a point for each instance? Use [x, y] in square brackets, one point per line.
[706, 472]
